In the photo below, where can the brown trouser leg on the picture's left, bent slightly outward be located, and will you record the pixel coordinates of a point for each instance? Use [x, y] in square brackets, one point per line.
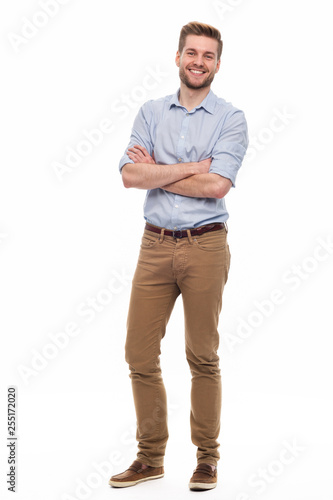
[154, 292]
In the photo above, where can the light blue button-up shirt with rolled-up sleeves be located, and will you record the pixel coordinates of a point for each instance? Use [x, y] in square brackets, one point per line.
[214, 129]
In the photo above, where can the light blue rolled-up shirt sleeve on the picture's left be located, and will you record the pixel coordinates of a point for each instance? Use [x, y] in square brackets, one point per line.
[140, 133]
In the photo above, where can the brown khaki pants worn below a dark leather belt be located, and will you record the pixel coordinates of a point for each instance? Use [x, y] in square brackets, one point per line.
[196, 267]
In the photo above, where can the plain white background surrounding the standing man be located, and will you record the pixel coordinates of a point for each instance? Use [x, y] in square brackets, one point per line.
[66, 239]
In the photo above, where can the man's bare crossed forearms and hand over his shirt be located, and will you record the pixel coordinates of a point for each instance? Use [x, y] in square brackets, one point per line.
[188, 179]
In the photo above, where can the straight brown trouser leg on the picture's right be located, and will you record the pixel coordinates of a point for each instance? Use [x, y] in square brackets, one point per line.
[202, 287]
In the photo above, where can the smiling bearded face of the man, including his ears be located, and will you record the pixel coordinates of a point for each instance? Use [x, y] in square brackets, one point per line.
[198, 62]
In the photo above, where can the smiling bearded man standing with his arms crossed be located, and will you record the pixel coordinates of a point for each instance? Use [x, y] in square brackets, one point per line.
[185, 149]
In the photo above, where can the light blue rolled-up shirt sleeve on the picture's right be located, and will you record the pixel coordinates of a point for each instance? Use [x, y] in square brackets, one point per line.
[231, 146]
